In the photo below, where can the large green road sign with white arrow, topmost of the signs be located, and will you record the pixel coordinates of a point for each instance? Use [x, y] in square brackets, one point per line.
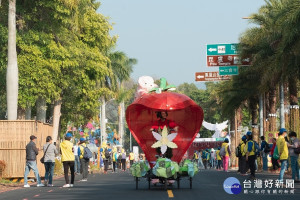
[221, 49]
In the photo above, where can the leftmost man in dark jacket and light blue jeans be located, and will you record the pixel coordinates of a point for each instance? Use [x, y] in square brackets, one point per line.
[31, 152]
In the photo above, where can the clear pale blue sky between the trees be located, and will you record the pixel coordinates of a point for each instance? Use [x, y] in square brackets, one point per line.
[169, 37]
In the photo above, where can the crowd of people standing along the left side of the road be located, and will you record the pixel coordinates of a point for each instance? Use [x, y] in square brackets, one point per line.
[75, 158]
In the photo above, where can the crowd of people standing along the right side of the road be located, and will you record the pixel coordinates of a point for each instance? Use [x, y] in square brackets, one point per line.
[250, 154]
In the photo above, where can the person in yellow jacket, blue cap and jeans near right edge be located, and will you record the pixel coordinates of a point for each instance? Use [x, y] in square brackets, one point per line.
[283, 151]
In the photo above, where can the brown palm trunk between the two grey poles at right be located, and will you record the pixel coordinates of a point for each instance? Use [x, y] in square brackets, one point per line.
[272, 114]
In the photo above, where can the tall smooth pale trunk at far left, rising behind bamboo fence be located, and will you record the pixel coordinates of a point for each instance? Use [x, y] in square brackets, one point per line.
[12, 79]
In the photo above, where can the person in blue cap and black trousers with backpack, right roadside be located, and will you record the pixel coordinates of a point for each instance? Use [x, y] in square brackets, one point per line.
[250, 154]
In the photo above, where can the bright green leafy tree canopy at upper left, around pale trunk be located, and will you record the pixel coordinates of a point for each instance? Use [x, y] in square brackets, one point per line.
[63, 50]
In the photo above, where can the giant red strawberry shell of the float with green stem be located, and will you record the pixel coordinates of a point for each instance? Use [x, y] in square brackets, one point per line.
[141, 115]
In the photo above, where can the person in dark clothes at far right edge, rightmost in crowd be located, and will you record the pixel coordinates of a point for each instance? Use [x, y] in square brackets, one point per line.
[294, 143]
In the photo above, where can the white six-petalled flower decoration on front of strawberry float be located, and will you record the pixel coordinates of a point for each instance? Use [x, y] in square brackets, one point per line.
[164, 140]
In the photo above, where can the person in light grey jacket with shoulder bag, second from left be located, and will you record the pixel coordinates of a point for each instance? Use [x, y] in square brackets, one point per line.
[50, 152]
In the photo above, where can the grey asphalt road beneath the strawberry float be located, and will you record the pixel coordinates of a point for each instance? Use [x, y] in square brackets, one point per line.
[206, 185]
